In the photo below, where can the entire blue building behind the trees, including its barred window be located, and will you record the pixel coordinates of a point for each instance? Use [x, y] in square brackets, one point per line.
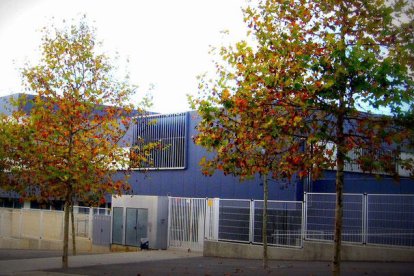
[175, 170]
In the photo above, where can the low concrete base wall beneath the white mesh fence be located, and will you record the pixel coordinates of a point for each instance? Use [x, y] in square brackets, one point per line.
[311, 251]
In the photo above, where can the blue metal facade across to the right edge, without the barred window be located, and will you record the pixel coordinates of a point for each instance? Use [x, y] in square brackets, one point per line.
[190, 182]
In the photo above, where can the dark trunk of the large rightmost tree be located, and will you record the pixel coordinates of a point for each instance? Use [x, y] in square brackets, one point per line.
[340, 159]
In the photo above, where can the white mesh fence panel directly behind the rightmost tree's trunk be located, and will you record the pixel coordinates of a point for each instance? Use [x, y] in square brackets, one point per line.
[320, 217]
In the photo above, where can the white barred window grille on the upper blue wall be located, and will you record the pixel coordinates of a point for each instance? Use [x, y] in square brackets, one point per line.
[170, 132]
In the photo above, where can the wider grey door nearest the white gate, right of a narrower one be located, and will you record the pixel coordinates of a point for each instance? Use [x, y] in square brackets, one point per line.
[136, 226]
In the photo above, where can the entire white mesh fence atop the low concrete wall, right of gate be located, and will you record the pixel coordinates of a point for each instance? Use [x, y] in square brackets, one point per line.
[367, 219]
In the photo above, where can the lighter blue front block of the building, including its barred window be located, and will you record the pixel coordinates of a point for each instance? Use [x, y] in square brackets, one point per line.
[176, 170]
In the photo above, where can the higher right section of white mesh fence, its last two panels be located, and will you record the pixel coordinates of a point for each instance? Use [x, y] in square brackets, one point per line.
[381, 219]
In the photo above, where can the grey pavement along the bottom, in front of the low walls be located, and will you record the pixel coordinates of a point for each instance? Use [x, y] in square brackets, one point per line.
[175, 262]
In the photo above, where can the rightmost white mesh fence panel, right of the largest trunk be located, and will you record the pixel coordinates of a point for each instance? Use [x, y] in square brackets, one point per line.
[390, 219]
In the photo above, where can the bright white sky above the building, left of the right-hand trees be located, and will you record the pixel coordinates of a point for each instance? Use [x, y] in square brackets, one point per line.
[166, 42]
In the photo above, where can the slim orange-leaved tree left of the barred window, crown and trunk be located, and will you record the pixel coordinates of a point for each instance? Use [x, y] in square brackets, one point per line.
[78, 118]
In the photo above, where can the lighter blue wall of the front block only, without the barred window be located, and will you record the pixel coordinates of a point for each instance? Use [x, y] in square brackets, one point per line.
[190, 182]
